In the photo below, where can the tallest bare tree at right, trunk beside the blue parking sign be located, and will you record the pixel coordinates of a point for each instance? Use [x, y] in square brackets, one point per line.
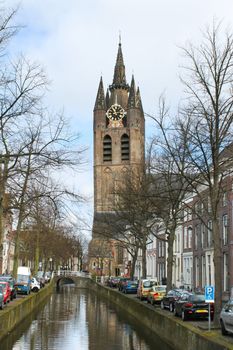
[204, 128]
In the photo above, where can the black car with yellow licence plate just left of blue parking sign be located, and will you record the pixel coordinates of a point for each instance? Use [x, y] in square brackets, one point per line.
[192, 305]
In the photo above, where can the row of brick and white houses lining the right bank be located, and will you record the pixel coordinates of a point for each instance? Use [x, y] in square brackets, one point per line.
[193, 265]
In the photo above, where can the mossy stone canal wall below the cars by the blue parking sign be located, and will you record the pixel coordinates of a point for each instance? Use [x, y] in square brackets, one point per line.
[173, 331]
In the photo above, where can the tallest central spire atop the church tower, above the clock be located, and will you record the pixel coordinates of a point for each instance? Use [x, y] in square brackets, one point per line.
[119, 78]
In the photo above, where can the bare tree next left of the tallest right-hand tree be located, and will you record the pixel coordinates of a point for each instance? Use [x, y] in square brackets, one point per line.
[169, 190]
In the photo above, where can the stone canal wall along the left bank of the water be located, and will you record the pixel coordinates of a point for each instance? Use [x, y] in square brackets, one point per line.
[20, 308]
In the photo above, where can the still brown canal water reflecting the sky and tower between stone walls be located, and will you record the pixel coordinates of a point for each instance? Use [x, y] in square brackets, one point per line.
[77, 319]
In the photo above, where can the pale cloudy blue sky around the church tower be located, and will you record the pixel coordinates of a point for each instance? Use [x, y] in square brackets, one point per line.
[76, 41]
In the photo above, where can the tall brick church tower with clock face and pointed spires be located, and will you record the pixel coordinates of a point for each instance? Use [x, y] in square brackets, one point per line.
[119, 145]
